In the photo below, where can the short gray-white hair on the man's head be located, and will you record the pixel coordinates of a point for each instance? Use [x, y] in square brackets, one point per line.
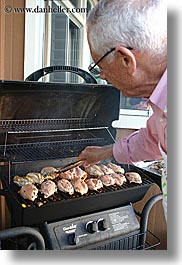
[140, 24]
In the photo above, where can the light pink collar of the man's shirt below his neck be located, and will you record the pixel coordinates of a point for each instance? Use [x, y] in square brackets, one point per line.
[159, 95]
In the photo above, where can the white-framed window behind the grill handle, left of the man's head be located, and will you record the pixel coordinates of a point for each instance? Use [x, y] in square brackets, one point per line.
[59, 37]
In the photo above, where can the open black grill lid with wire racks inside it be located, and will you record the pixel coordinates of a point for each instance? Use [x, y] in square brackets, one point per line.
[55, 114]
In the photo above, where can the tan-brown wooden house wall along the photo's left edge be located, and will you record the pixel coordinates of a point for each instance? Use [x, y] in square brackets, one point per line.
[11, 59]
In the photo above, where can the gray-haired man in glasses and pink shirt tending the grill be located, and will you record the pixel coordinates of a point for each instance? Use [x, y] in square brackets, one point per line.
[128, 42]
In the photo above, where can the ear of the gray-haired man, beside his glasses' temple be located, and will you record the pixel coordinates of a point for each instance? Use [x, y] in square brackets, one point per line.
[127, 58]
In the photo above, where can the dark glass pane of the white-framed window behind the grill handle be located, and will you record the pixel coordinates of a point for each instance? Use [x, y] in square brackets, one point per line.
[65, 47]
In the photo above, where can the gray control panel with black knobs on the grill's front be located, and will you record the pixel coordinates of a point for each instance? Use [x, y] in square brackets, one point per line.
[84, 231]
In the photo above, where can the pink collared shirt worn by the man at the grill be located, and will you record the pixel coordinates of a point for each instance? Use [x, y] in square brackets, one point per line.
[143, 144]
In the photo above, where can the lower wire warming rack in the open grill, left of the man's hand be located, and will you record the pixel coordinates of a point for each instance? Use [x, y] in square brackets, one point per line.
[47, 150]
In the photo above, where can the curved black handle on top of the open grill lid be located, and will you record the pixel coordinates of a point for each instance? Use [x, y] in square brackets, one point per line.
[35, 76]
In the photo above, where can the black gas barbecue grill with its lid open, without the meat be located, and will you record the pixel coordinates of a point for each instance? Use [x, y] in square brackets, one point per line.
[49, 124]
